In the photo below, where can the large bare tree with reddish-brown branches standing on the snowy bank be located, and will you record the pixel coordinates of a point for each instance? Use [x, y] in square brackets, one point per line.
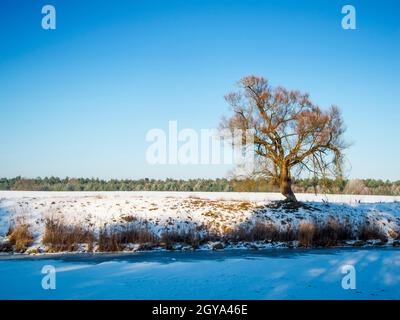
[291, 134]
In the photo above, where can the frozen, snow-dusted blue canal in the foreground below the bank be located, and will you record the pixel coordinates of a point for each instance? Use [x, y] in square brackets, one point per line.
[274, 274]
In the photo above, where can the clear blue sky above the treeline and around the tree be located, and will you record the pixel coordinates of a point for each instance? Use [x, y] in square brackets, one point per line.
[78, 100]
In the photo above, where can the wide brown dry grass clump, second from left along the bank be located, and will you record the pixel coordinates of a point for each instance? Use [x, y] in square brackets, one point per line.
[61, 237]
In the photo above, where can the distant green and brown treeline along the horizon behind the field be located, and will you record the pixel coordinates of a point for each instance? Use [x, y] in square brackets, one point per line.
[366, 186]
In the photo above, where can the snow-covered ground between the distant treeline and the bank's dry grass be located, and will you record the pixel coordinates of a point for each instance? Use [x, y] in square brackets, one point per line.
[162, 211]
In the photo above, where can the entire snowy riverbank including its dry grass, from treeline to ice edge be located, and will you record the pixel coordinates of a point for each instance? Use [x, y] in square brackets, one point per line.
[48, 222]
